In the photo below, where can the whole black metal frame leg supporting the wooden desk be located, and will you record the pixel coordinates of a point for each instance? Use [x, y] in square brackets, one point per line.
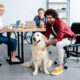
[20, 49]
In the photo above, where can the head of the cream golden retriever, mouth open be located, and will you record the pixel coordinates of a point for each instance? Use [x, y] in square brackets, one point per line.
[38, 37]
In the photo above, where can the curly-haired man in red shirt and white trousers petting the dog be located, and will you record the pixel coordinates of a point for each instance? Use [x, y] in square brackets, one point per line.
[63, 36]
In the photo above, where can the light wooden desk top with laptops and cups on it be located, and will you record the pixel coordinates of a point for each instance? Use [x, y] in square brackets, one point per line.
[25, 30]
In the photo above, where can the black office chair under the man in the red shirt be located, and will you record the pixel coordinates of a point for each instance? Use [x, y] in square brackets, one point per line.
[73, 49]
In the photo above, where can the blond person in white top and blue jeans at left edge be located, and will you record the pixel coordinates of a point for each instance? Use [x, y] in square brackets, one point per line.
[4, 39]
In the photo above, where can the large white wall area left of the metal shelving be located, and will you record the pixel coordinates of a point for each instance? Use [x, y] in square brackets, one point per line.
[21, 9]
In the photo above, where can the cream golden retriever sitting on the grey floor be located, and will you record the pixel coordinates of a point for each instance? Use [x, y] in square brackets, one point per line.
[40, 59]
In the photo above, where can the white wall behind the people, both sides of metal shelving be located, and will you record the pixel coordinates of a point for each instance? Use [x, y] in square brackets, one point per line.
[26, 10]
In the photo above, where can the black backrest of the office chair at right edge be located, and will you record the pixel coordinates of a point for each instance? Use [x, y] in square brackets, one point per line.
[76, 29]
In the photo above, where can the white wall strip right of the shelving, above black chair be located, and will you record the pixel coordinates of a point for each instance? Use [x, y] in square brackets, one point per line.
[74, 11]
